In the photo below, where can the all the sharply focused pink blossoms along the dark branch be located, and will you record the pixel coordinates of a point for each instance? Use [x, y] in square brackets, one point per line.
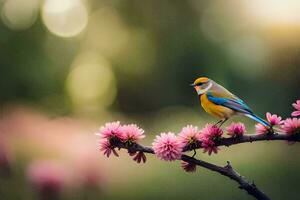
[169, 146]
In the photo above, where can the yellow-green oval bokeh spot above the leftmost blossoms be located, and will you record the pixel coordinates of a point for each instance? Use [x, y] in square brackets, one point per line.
[91, 83]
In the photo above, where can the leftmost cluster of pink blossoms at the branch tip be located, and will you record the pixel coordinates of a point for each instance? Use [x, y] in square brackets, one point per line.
[113, 133]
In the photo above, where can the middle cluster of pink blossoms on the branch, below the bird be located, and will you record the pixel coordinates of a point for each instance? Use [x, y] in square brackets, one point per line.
[169, 147]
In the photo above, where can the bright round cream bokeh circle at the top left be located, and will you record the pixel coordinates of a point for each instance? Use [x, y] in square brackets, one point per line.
[65, 18]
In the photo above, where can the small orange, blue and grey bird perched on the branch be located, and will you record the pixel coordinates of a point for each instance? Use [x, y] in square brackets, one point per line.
[219, 102]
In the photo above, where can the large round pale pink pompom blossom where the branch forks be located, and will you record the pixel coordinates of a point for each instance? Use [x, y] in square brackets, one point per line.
[167, 147]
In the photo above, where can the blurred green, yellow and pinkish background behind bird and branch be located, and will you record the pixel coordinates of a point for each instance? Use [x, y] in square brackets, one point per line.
[68, 66]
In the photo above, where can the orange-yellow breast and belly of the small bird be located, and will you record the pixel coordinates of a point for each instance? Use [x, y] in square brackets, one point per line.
[215, 110]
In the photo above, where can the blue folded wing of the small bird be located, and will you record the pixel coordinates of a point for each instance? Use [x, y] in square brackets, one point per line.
[235, 104]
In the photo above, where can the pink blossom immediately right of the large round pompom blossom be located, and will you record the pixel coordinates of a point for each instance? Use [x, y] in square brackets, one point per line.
[189, 135]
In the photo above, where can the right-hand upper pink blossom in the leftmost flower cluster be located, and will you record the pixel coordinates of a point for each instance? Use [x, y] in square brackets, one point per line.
[132, 133]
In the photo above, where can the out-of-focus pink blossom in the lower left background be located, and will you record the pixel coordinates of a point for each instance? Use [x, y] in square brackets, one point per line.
[47, 177]
